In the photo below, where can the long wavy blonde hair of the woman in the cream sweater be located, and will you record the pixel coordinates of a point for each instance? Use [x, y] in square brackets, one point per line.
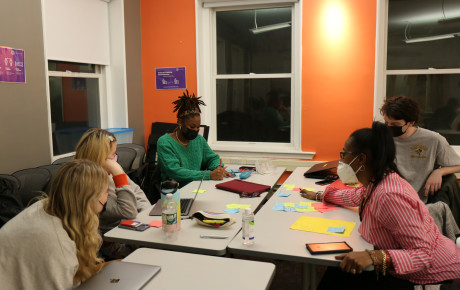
[74, 198]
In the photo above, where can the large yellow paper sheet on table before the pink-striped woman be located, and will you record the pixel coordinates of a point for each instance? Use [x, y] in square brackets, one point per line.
[320, 225]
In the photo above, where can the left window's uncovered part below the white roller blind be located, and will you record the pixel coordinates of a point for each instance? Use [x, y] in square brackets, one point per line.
[74, 102]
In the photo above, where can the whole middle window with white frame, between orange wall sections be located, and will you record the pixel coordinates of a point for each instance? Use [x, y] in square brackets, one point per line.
[251, 83]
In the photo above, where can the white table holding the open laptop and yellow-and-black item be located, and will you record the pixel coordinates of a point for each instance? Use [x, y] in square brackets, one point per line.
[188, 238]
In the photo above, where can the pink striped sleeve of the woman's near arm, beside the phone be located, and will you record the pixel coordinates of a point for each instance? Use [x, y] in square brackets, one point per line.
[404, 218]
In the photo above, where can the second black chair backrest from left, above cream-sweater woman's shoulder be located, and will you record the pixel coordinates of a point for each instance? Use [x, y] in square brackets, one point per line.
[33, 182]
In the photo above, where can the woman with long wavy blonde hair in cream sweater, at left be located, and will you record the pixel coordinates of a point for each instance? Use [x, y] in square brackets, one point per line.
[53, 244]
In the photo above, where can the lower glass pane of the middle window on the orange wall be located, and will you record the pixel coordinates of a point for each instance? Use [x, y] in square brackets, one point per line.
[254, 110]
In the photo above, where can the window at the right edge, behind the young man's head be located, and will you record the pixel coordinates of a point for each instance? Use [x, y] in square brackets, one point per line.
[422, 61]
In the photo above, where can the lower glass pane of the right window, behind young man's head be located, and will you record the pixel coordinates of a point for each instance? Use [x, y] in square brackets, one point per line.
[438, 97]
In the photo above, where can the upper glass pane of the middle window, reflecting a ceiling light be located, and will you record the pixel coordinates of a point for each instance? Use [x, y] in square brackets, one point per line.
[239, 51]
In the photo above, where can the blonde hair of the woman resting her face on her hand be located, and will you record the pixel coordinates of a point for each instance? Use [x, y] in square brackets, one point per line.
[95, 145]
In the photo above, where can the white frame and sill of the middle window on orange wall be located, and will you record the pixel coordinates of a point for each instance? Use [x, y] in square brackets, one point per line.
[207, 76]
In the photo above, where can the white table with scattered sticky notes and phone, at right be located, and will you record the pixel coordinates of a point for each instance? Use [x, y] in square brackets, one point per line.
[274, 239]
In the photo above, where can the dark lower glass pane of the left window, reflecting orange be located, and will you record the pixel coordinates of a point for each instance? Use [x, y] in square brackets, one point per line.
[74, 109]
